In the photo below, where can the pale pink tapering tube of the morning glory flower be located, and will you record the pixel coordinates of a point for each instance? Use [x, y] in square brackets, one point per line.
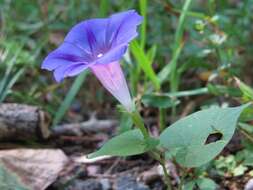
[112, 78]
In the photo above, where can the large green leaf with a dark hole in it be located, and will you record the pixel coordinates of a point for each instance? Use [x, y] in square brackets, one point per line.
[188, 136]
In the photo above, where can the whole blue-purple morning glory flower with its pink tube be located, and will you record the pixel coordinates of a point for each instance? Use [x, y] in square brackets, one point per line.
[98, 45]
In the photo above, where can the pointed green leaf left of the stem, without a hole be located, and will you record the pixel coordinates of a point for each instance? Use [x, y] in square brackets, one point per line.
[126, 144]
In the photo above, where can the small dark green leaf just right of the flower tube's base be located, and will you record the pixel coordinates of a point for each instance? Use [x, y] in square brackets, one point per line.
[159, 101]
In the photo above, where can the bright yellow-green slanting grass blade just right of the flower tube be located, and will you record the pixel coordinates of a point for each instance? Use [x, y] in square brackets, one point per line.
[144, 63]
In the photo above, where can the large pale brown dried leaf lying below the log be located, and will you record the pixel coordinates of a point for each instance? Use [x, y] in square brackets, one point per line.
[35, 169]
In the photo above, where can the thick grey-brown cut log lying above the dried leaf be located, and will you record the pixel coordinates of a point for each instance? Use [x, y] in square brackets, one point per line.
[22, 122]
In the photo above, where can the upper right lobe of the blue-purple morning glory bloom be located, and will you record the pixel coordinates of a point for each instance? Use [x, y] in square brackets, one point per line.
[122, 27]
